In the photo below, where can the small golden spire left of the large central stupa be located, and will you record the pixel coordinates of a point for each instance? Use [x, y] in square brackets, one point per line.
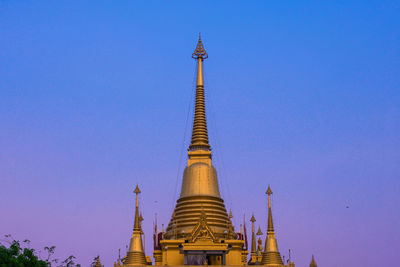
[135, 255]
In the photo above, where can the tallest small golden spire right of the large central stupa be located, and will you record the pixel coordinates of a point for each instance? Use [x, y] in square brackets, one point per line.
[271, 256]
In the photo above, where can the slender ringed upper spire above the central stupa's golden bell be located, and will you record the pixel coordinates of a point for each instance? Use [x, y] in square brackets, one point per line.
[199, 133]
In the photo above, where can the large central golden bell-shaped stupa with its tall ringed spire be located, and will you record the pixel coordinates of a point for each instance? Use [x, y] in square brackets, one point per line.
[200, 189]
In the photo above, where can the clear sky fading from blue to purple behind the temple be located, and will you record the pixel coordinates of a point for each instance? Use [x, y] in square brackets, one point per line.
[96, 96]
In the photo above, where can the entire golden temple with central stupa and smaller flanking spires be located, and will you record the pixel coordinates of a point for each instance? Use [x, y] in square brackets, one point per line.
[200, 231]
